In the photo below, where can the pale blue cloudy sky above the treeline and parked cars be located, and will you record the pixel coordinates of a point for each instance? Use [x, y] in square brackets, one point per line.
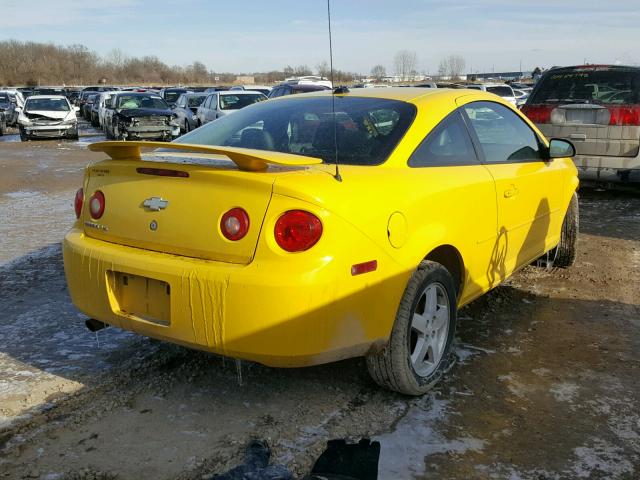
[263, 35]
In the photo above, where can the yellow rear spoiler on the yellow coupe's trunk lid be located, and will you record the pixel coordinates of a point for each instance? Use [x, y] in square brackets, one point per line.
[246, 159]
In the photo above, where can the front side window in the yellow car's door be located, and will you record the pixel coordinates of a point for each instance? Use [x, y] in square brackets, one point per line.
[502, 134]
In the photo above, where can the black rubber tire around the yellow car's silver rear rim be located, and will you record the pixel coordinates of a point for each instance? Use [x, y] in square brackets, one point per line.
[393, 367]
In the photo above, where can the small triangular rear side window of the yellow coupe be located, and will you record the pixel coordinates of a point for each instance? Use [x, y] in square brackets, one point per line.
[447, 144]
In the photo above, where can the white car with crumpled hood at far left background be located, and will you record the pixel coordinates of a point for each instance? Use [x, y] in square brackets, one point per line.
[48, 116]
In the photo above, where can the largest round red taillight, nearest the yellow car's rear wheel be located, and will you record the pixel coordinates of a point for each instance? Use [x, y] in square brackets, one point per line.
[297, 230]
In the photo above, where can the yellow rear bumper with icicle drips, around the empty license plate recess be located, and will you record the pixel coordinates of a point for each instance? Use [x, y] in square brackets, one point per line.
[256, 312]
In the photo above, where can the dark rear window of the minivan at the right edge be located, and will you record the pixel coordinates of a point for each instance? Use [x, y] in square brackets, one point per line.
[601, 86]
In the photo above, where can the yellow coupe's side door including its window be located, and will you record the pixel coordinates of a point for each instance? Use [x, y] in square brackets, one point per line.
[528, 187]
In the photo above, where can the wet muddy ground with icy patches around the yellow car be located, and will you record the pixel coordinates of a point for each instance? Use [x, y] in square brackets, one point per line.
[545, 386]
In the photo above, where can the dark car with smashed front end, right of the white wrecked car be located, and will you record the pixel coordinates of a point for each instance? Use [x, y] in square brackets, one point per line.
[140, 116]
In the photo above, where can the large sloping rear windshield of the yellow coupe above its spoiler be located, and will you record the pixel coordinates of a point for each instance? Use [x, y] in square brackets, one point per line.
[366, 129]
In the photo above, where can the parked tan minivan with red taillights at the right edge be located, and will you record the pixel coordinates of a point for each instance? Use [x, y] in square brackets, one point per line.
[597, 108]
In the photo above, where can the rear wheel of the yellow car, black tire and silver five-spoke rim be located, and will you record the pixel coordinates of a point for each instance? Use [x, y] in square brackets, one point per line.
[419, 347]
